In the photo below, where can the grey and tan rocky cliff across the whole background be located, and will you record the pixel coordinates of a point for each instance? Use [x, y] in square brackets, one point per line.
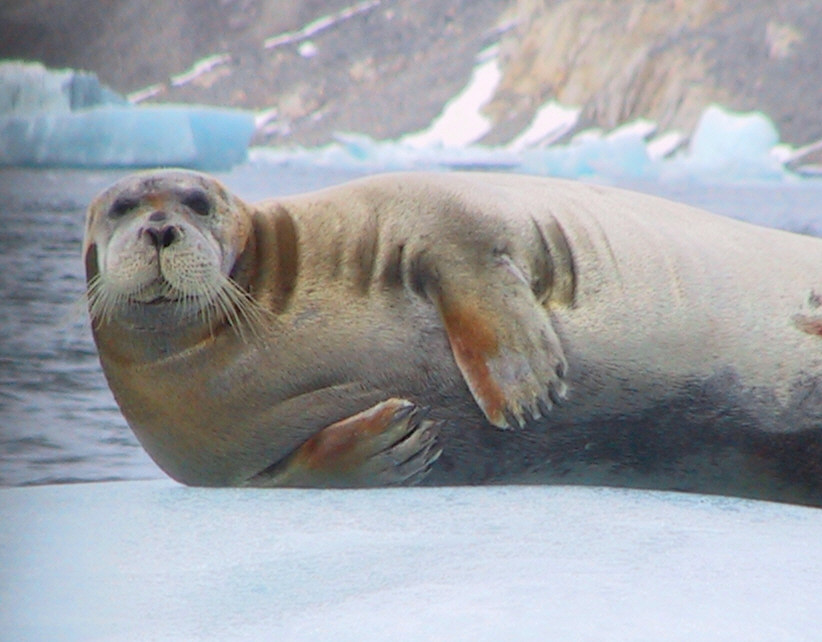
[386, 67]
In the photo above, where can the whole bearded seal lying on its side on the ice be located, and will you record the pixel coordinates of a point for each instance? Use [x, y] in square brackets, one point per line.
[458, 328]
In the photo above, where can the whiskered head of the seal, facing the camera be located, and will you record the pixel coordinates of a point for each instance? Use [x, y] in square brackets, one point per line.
[164, 247]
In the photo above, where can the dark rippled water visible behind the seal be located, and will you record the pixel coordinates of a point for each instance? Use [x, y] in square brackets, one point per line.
[58, 420]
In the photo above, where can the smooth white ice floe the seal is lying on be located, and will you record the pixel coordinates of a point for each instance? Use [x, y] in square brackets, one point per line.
[158, 561]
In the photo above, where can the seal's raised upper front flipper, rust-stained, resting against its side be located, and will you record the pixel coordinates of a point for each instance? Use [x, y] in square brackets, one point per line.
[503, 342]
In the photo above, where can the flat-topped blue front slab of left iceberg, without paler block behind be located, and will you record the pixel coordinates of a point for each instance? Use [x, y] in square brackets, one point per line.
[187, 136]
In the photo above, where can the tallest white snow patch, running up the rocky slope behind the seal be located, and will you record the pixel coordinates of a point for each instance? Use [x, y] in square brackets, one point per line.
[461, 122]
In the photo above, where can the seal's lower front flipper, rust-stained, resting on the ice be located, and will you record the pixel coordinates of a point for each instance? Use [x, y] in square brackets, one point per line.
[389, 444]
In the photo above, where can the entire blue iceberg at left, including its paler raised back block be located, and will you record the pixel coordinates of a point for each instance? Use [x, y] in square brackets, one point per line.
[68, 118]
